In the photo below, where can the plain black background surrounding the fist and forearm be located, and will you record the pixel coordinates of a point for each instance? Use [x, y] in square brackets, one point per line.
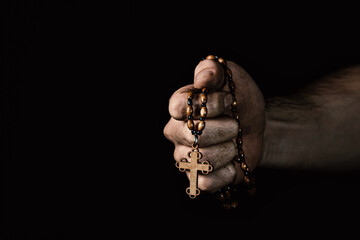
[86, 91]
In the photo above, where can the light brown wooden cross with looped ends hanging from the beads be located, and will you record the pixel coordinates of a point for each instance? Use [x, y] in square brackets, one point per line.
[194, 167]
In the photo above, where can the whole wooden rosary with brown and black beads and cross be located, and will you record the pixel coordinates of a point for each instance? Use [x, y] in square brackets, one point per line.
[224, 195]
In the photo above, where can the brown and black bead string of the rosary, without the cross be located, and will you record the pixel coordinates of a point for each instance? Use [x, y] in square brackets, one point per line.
[225, 195]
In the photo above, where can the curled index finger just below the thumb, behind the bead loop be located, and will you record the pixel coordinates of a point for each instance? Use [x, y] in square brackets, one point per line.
[217, 103]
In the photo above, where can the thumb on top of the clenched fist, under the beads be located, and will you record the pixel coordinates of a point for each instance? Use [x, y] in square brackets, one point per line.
[209, 74]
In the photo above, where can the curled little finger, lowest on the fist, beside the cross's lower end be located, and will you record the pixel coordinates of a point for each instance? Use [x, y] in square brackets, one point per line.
[217, 179]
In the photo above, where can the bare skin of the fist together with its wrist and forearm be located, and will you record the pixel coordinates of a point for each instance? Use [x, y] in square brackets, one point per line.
[318, 128]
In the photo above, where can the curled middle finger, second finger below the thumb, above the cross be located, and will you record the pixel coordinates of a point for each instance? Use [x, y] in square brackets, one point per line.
[221, 129]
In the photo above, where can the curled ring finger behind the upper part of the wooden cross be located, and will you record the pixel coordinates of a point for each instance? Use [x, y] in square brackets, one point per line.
[217, 155]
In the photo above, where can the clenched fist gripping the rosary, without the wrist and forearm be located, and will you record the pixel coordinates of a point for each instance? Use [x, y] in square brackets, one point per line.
[217, 142]
